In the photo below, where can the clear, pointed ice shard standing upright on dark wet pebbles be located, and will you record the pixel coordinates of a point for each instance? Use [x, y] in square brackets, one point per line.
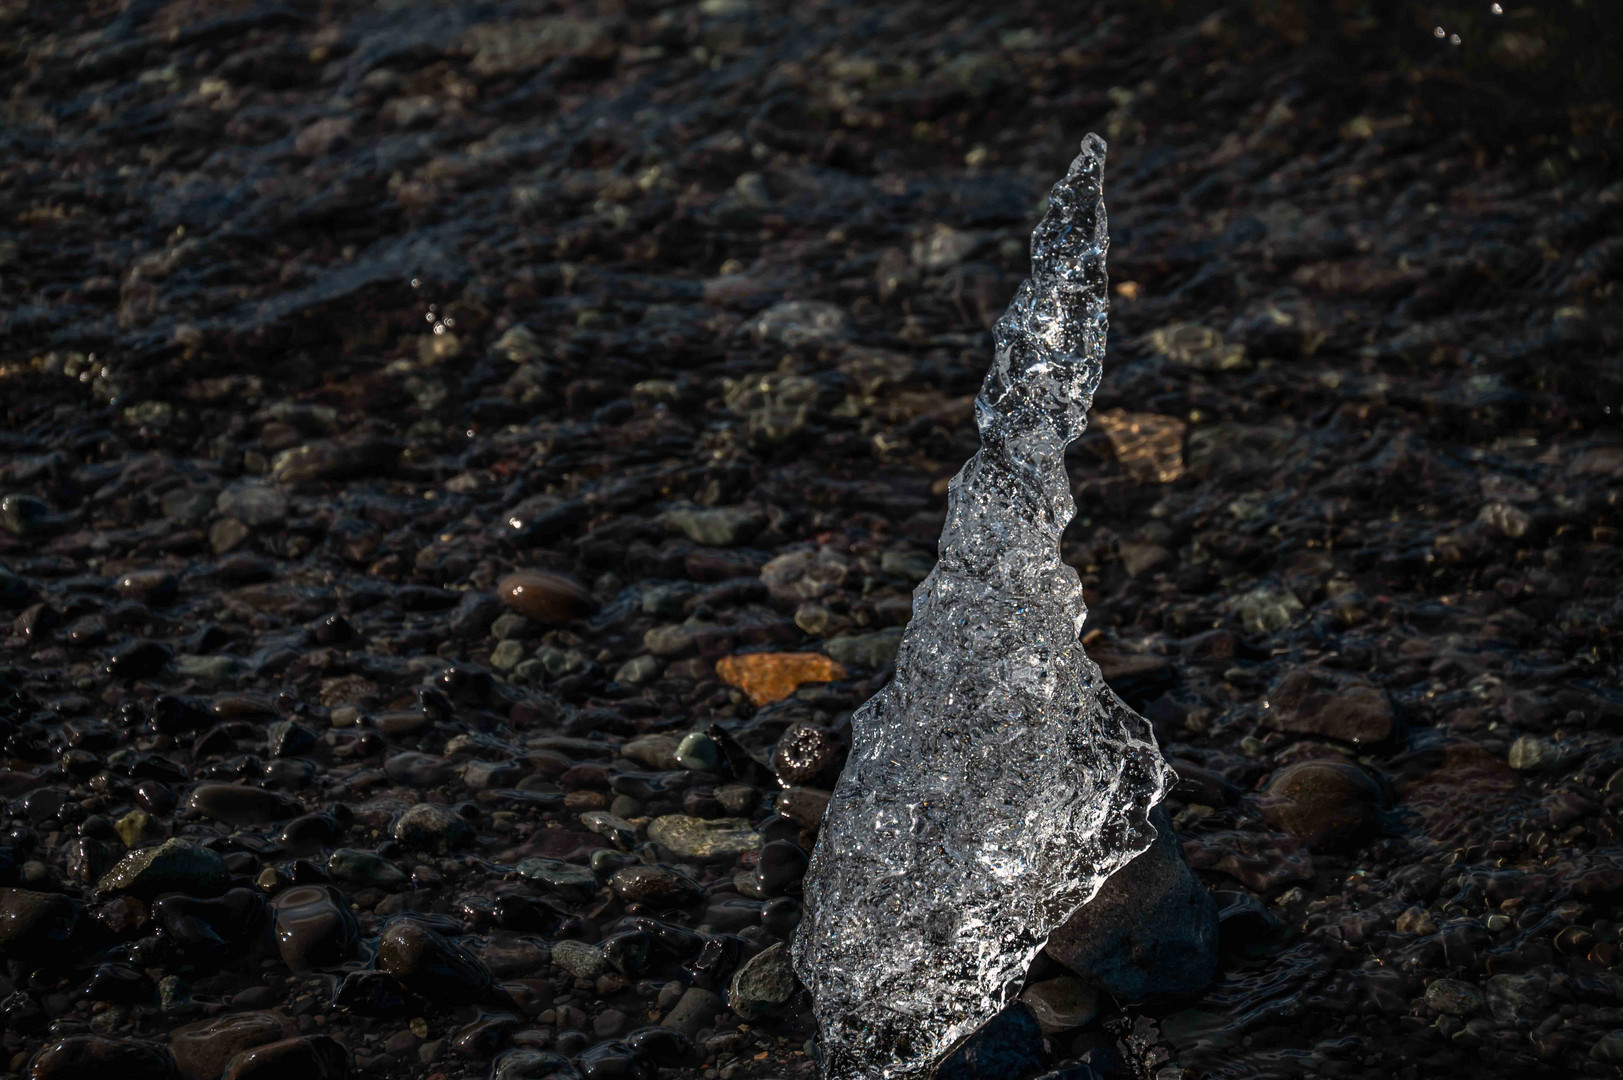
[997, 782]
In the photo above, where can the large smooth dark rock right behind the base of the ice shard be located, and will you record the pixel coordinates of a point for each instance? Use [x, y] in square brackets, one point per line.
[1152, 930]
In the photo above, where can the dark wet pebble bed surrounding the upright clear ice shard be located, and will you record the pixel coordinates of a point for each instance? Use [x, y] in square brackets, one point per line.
[415, 420]
